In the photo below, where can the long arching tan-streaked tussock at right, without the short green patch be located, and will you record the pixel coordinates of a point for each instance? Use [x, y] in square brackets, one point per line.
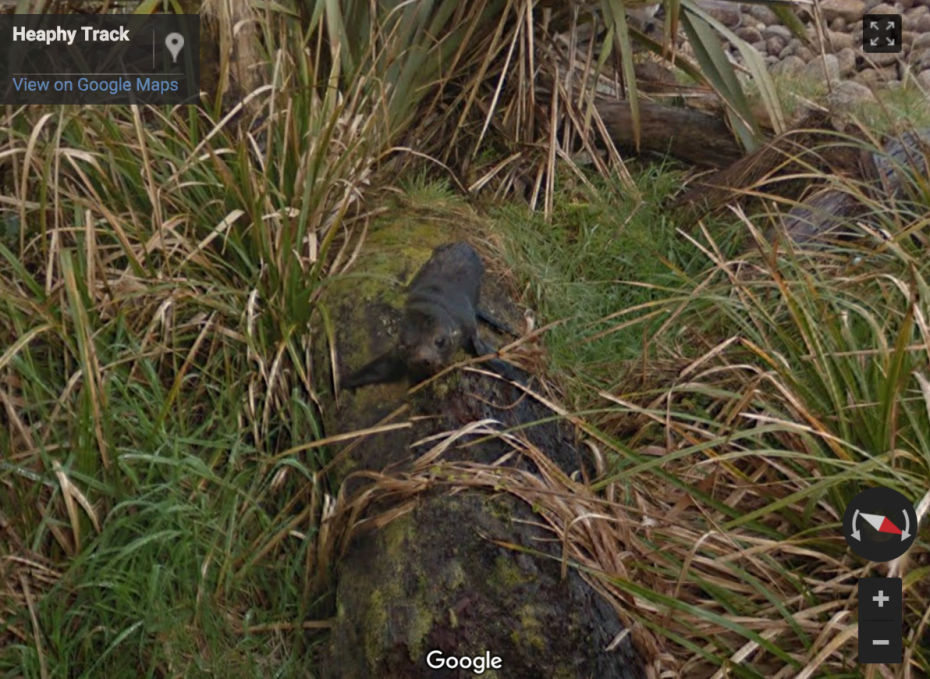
[813, 387]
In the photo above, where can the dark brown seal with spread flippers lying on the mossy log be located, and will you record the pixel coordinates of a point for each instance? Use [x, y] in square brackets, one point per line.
[440, 317]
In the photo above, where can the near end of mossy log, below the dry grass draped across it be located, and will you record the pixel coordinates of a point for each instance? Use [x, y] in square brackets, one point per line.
[435, 580]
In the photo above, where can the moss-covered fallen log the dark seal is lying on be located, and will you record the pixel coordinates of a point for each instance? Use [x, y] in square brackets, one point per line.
[472, 573]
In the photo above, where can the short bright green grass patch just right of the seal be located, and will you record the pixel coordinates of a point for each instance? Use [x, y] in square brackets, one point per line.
[602, 254]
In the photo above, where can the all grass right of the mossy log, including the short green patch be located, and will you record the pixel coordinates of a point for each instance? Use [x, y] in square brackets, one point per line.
[753, 399]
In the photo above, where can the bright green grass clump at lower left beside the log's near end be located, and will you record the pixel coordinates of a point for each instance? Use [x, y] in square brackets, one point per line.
[154, 589]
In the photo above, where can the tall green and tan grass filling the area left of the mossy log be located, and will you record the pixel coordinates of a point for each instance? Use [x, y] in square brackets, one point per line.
[159, 273]
